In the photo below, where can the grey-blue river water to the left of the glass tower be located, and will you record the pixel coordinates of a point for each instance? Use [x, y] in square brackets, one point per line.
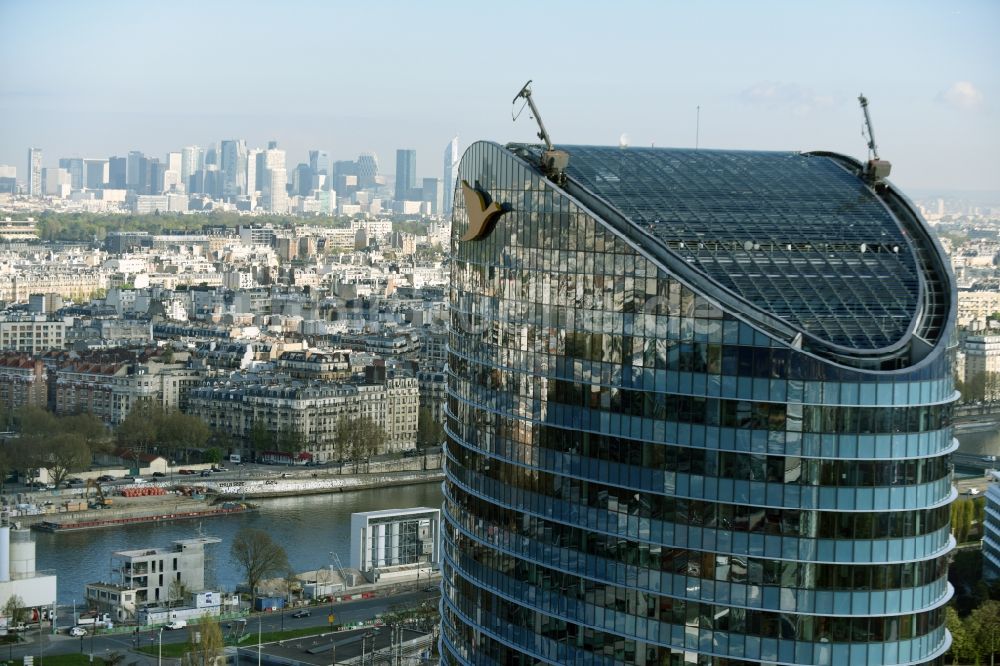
[309, 528]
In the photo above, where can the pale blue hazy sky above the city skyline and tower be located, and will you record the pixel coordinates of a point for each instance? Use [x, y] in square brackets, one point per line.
[93, 79]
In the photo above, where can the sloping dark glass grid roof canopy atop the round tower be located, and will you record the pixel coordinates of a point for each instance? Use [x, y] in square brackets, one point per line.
[796, 235]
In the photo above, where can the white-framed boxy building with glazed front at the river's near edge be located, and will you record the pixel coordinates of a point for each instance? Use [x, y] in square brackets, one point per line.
[383, 540]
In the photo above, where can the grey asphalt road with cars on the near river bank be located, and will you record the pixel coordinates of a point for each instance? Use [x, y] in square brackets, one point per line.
[346, 612]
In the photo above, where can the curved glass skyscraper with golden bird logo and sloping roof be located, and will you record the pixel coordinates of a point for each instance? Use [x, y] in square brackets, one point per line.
[699, 412]
